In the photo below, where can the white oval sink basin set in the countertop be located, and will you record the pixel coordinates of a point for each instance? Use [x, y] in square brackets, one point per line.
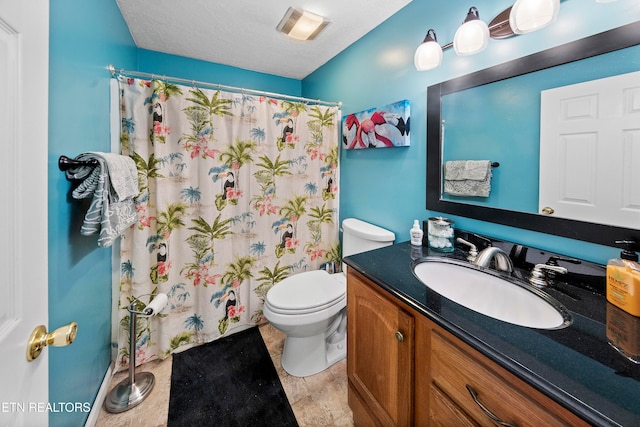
[486, 292]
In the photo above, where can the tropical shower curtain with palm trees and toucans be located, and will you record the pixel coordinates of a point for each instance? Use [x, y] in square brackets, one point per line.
[237, 192]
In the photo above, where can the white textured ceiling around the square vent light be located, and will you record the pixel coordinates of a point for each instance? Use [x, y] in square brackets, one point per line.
[242, 33]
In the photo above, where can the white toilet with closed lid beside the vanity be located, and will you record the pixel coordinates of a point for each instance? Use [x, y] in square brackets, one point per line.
[311, 307]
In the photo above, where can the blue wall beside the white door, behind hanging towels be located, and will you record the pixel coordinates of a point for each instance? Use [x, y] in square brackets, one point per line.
[84, 38]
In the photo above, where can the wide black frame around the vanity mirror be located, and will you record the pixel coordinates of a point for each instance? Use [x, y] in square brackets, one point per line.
[608, 41]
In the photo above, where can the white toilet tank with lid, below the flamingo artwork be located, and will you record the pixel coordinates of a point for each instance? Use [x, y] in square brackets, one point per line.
[359, 236]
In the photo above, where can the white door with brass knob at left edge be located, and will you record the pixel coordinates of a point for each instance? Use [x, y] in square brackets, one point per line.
[24, 63]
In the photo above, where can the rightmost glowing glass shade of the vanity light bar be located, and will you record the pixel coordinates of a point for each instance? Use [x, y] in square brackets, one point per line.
[531, 15]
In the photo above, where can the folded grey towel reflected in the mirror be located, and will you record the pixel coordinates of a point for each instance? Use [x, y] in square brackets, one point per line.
[467, 178]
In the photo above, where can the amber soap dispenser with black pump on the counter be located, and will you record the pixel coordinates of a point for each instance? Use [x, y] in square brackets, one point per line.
[623, 279]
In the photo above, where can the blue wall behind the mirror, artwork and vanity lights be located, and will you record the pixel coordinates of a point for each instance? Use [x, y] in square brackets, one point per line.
[387, 186]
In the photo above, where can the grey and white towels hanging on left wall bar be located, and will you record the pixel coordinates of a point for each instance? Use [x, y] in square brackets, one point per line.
[113, 184]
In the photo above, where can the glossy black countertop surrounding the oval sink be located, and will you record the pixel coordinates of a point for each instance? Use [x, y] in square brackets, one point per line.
[576, 366]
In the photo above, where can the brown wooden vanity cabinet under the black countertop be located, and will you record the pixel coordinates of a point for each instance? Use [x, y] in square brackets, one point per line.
[404, 370]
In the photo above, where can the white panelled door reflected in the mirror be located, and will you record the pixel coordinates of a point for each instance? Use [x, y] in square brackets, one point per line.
[590, 151]
